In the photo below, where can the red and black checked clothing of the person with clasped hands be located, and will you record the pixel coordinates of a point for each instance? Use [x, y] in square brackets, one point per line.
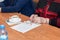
[51, 11]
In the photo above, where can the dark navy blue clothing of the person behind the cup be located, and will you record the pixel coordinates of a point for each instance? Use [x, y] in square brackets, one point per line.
[23, 6]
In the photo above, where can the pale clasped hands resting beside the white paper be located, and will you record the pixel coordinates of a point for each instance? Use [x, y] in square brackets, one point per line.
[34, 18]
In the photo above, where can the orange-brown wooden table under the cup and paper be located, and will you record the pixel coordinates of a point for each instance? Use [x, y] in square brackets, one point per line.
[43, 32]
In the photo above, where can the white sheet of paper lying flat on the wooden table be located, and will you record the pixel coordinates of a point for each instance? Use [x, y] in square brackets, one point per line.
[25, 27]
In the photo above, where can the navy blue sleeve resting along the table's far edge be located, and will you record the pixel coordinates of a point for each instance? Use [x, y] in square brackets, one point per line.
[19, 4]
